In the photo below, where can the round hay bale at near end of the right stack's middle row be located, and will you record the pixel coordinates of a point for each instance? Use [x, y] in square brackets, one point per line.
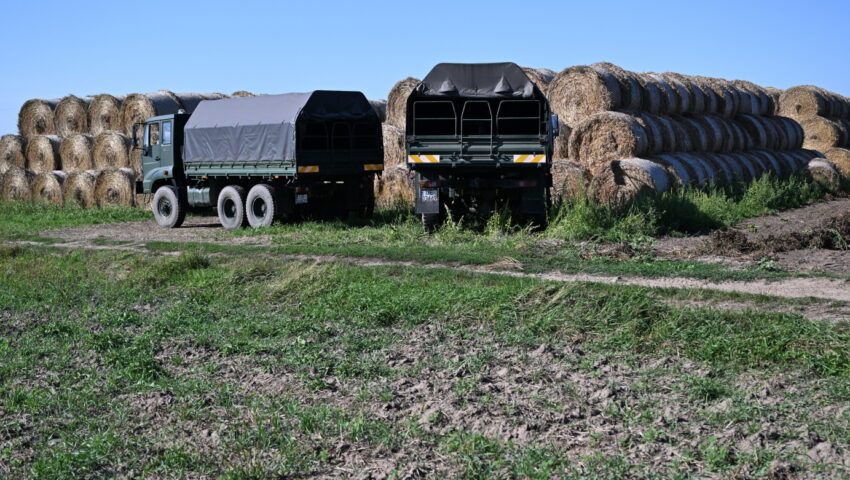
[607, 136]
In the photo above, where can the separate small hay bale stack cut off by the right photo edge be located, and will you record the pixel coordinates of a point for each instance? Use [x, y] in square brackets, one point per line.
[825, 117]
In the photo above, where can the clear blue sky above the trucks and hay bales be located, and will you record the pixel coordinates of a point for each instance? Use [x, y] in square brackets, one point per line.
[55, 48]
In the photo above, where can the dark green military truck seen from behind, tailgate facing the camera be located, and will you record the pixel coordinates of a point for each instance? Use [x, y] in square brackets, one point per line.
[479, 137]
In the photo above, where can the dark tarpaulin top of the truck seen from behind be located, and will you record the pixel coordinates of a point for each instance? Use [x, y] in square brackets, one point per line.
[481, 80]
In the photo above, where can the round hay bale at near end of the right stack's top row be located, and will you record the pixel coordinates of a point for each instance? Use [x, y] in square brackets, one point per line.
[578, 92]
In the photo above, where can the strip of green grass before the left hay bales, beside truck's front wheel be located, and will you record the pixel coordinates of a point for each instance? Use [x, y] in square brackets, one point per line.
[19, 220]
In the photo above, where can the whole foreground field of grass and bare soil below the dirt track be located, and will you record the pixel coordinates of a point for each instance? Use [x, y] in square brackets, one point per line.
[122, 364]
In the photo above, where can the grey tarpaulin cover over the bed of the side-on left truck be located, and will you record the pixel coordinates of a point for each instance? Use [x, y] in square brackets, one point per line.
[263, 128]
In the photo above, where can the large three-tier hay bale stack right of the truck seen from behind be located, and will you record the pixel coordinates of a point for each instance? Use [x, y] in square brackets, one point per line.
[646, 132]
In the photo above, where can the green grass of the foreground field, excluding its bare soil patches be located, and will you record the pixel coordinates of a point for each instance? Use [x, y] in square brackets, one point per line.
[86, 333]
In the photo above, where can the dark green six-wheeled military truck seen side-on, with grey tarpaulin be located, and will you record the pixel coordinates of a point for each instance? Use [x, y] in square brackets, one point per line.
[261, 159]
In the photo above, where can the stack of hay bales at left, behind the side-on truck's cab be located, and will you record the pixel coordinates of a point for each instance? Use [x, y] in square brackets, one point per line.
[77, 150]
